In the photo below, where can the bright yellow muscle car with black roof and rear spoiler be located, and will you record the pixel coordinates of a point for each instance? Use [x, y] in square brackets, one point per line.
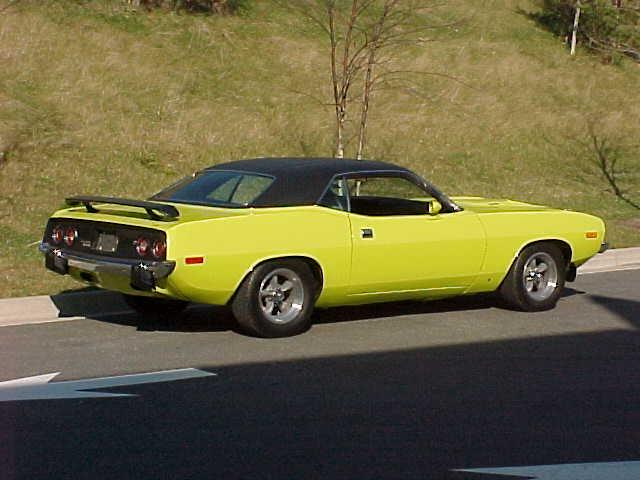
[273, 238]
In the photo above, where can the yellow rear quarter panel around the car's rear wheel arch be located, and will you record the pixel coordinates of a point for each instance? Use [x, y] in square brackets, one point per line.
[232, 247]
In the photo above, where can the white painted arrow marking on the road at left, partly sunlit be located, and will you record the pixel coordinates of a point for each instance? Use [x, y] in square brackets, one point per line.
[39, 388]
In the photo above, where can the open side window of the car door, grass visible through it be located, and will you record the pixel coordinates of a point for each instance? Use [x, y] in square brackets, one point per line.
[386, 195]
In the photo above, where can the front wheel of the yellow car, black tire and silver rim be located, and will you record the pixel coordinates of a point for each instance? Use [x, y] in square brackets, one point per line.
[536, 278]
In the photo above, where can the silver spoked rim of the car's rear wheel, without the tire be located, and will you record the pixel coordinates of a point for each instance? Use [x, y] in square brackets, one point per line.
[281, 296]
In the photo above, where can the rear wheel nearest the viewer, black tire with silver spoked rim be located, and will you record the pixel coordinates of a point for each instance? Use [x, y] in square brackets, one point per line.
[276, 299]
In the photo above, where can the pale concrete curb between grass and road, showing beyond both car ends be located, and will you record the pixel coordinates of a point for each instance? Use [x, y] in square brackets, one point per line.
[100, 303]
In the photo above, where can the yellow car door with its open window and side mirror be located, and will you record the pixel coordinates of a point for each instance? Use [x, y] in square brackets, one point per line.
[400, 250]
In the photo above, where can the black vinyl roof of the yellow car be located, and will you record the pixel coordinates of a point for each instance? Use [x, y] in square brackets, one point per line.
[301, 181]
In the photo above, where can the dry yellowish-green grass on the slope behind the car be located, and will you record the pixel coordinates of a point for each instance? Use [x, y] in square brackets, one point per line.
[98, 99]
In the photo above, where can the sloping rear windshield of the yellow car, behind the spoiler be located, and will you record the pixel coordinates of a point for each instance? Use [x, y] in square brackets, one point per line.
[217, 189]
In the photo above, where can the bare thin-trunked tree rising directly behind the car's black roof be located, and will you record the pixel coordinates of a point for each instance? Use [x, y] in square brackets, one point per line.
[365, 39]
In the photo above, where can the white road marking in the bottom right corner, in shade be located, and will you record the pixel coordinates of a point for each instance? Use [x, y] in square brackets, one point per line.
[568, 471]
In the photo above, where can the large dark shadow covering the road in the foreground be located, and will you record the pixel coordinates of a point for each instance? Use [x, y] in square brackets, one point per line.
[401, 414]
